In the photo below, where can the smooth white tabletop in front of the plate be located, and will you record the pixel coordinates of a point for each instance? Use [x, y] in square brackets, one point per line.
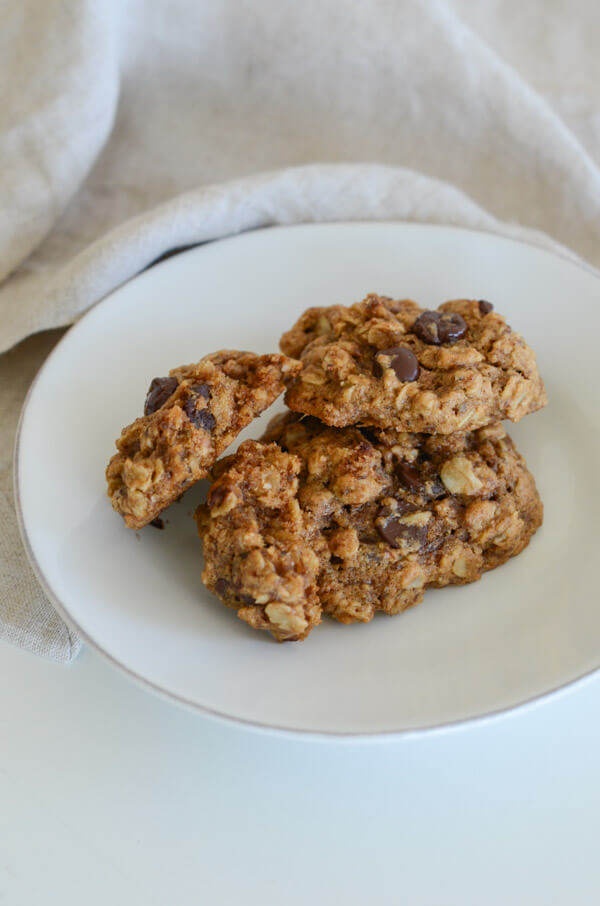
[109, 795]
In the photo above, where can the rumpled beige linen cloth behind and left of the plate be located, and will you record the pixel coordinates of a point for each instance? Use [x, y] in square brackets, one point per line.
[130, 128]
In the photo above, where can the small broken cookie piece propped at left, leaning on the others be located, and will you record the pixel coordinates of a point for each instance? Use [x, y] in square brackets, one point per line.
[190, 418]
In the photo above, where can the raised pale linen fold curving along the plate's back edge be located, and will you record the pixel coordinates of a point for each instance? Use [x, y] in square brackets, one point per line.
[312, 193]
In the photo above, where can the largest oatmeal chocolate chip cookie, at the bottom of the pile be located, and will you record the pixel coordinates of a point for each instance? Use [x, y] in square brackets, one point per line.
[352, 521]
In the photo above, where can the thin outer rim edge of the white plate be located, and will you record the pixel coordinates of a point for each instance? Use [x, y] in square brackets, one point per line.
[213, 713]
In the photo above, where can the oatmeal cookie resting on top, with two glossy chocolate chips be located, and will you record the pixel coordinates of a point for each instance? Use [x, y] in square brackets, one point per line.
[390, 363]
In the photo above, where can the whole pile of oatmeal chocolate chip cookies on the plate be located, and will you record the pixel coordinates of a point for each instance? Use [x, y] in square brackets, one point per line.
[390, 474]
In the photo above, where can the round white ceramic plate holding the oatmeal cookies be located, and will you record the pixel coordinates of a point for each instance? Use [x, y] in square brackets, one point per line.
[530, 627]
